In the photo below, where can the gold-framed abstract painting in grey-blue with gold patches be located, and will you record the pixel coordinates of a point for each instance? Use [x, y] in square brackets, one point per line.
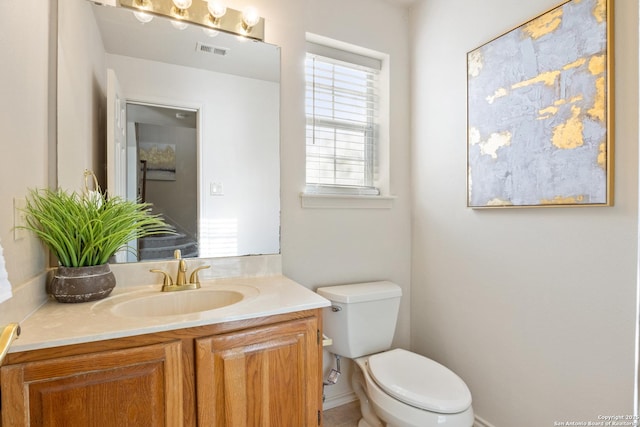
[540, 111]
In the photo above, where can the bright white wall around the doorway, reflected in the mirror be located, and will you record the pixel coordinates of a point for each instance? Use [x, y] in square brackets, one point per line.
[239, 144]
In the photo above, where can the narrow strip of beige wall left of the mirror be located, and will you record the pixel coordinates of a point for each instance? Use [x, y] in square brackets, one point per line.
[24, 126]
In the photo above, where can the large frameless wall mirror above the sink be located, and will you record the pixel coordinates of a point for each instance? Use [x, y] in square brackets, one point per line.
[225, 86]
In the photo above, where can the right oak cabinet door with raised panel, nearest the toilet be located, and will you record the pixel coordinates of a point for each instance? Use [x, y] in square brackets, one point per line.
[268, 376]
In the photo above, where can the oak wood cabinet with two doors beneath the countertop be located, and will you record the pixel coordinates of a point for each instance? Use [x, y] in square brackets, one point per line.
[259, 372]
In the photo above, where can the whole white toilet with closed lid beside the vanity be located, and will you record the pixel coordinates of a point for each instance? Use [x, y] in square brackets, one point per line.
[396, 388]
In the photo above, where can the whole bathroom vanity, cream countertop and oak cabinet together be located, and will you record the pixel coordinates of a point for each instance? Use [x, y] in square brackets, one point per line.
[253, 362]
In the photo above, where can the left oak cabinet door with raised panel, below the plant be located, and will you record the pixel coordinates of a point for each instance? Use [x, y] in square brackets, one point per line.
[133, 387]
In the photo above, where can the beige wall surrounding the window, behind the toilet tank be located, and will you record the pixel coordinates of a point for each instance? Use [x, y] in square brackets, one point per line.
[335, 246]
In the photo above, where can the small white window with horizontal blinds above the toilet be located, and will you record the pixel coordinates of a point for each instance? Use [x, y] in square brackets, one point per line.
[342, 127]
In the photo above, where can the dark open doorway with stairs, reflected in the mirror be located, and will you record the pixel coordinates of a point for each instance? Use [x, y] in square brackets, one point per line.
[162, 166]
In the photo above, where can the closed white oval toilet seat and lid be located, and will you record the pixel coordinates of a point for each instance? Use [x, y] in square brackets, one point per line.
[419, 381]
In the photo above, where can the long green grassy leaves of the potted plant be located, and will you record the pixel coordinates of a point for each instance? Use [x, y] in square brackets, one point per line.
[88, 229]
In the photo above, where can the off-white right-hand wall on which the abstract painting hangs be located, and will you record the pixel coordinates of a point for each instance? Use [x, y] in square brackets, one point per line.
[534, 308]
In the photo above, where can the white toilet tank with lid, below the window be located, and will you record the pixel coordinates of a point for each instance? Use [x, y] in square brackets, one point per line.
[362, 317]
